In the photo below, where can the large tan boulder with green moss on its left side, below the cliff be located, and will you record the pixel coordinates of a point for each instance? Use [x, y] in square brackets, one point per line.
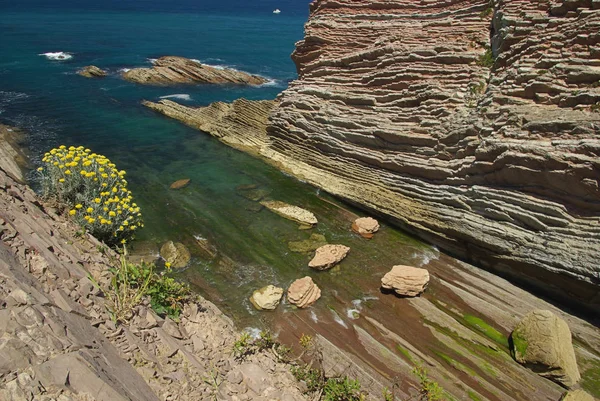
[542, 341]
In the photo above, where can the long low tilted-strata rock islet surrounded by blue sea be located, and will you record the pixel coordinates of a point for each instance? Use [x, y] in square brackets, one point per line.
[180, 70]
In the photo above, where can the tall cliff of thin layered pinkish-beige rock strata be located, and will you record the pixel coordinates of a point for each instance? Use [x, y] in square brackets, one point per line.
[395, 108]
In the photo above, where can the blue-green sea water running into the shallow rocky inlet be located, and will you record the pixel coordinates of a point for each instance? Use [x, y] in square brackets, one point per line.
[236, 245]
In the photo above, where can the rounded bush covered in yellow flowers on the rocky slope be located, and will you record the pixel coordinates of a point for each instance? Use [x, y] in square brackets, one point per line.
[94, 190]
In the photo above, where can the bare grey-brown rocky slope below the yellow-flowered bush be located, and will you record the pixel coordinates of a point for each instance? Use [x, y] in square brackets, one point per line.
[58, 342]
